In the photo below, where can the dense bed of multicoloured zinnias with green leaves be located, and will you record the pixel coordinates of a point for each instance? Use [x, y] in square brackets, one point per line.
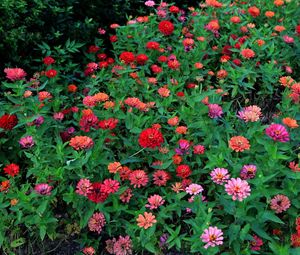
[184, 138]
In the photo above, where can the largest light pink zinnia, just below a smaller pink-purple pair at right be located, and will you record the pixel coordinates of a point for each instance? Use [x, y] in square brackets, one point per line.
[237, 188]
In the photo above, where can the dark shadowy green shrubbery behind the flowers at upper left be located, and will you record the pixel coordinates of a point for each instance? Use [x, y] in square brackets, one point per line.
[26, 23]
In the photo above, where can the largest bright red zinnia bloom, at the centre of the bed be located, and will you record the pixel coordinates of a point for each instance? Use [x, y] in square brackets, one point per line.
[151, 138]
